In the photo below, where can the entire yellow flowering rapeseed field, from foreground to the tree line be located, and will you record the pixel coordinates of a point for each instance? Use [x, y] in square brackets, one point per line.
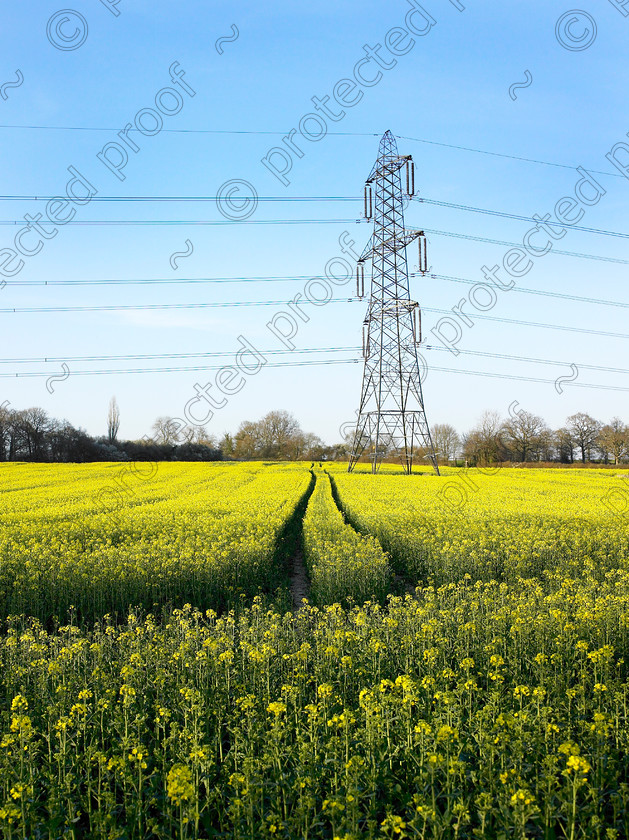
[493, 702]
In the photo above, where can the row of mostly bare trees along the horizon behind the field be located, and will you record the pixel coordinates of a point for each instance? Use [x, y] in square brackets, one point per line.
[32, 435]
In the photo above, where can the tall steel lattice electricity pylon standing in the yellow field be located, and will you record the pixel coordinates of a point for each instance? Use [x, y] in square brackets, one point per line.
[391, 417]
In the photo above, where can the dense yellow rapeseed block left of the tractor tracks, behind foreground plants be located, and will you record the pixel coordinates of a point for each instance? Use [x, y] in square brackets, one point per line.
[184, 534]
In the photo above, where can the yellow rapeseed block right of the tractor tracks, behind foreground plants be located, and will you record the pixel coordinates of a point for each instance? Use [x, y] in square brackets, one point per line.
[507, 525]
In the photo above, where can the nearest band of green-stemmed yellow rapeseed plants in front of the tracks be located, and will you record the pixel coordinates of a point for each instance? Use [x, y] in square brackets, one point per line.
[473, 711]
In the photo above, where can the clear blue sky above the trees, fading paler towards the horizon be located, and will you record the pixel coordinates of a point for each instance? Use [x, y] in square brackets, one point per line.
[450, 88]
